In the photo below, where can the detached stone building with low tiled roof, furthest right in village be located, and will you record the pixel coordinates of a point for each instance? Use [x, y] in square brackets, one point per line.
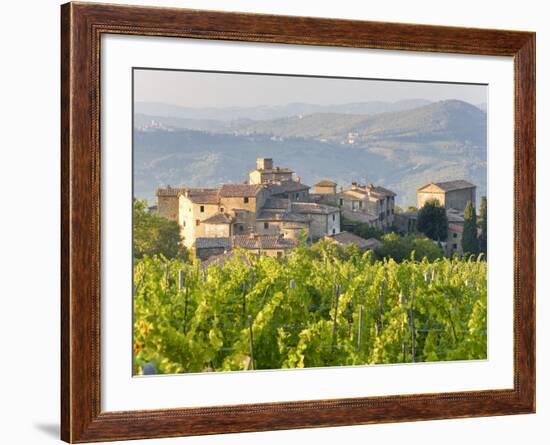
[450, 194]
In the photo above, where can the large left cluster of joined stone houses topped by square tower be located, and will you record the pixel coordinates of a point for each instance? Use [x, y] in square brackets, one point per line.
[271, 204]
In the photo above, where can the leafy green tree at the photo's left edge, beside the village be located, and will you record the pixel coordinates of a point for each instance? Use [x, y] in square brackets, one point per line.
[154, 234]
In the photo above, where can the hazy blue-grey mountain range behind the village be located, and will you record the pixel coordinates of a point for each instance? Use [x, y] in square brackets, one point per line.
[400, 145]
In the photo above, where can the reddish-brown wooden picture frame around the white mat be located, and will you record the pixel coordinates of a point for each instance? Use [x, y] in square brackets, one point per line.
[82, 26]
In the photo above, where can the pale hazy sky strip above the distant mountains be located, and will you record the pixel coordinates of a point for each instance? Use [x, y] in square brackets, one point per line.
[197, 89]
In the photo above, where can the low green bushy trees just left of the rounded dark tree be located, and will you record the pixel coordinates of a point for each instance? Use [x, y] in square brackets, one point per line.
[400, 248]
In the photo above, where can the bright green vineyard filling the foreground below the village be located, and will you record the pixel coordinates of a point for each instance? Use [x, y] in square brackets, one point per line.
[320, 306]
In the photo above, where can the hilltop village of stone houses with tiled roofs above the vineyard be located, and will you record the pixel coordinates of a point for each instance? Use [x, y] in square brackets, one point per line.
[269, 212]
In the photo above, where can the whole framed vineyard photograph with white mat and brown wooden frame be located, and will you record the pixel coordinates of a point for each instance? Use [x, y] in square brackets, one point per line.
[274, 222]
